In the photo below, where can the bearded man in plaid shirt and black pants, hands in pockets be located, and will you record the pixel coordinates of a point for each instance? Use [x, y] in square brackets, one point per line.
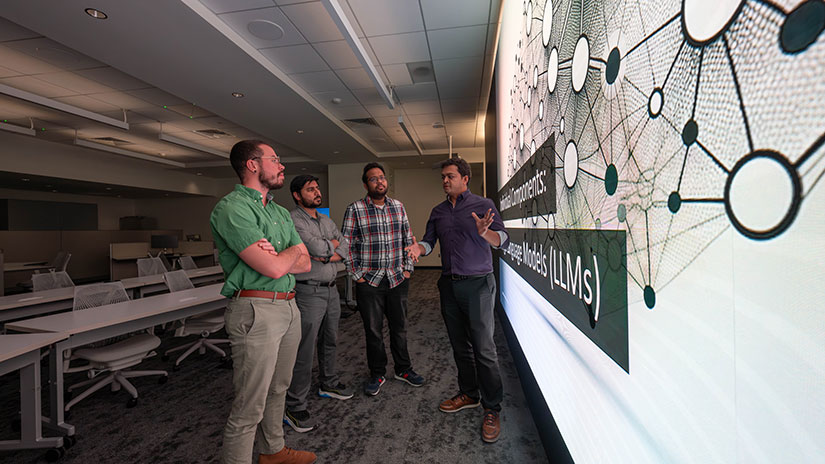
[378, 230]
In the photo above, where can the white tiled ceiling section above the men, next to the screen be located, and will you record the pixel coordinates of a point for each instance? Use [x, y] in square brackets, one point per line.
[456, 36]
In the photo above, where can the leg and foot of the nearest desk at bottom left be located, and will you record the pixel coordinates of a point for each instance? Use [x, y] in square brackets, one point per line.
[31, 430]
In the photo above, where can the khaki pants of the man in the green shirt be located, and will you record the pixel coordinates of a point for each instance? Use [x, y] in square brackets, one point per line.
[264, 335]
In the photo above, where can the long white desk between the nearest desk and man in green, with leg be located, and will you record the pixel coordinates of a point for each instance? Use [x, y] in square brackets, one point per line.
[92, 325]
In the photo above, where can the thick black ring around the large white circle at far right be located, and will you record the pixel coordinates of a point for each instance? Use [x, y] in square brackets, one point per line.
[796, 200]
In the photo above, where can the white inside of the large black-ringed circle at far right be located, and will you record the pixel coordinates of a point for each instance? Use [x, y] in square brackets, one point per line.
[761, 194]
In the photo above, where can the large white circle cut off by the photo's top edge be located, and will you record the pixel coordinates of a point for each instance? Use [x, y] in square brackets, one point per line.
[705, 19]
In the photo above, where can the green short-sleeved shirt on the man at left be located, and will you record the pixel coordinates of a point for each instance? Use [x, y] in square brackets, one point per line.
[239, 220]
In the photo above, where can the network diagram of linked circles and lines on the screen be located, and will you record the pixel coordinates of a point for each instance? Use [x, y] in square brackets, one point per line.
[673, 120]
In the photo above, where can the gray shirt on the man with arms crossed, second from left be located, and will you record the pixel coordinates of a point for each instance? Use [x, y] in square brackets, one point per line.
[317, 234]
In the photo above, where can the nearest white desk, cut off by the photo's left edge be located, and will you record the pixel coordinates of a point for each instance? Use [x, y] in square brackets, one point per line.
[22, 353]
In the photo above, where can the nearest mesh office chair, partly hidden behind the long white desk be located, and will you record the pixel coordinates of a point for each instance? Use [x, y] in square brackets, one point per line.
[114, 355]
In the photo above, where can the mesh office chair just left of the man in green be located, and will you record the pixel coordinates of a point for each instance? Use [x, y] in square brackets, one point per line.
[204, 324]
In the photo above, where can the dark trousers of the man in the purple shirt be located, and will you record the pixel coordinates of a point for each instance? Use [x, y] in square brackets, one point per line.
[468, 310]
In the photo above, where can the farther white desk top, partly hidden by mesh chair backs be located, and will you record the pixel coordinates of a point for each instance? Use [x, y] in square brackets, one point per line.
[26, 305]
